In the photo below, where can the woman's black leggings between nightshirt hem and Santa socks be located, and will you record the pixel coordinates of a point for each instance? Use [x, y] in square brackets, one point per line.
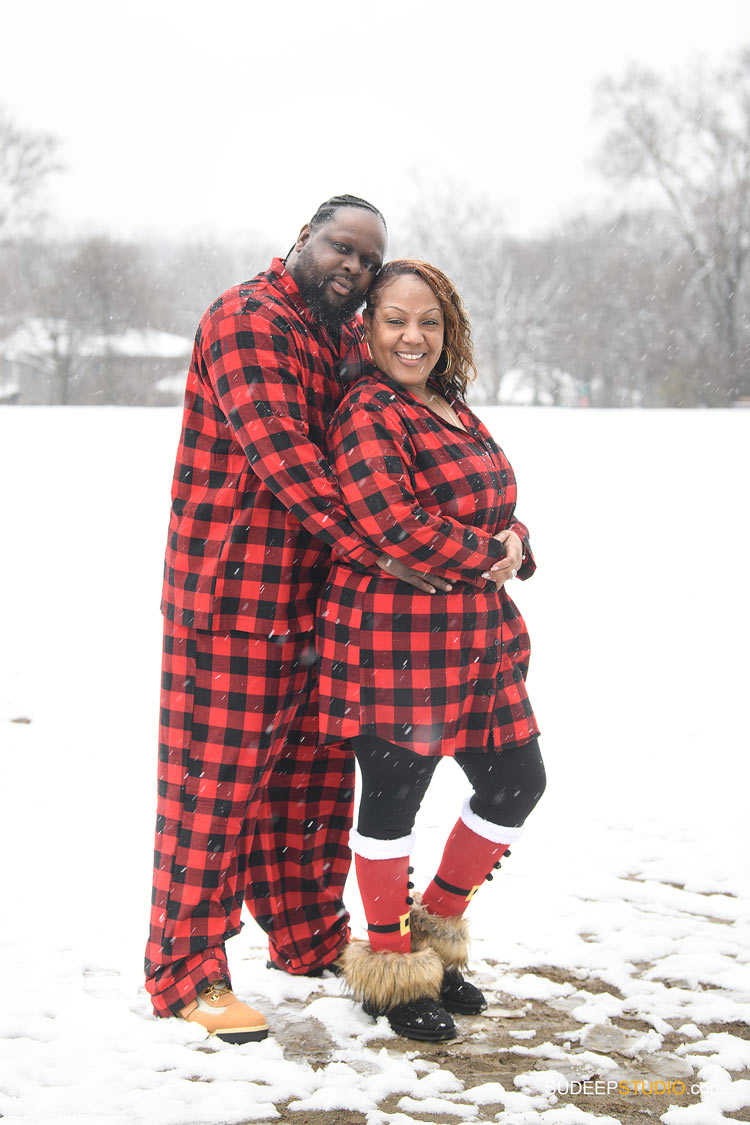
[508, 786]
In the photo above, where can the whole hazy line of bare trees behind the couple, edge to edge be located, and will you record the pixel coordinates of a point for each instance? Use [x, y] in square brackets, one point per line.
[648, 308]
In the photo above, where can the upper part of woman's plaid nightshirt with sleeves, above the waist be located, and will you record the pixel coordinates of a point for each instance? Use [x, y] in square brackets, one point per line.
[409, 490]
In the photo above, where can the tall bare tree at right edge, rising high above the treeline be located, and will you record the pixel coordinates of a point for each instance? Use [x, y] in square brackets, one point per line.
[691, 141]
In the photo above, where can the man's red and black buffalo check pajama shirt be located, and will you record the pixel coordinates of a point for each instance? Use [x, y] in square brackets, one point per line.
[256, 509]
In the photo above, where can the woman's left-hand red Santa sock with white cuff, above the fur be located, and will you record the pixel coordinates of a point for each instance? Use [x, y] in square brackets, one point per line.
[383, 874]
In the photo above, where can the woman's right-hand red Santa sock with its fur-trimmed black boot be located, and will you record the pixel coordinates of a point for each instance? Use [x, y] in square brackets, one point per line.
[473, 850]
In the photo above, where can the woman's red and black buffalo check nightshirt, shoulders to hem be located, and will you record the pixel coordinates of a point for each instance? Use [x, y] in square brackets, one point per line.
[435, 673]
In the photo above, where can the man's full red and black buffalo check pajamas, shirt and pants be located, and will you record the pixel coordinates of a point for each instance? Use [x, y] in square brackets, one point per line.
[250, 808]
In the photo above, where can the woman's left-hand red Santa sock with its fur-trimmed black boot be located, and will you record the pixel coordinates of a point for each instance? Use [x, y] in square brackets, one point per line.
[384, 975]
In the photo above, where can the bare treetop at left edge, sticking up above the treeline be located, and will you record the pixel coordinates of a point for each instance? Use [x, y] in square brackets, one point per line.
[26, 161]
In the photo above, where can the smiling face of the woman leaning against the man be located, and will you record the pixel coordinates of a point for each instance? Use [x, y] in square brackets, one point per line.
[405, 332]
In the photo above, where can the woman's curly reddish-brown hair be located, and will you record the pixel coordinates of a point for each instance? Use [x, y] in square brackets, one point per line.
[456, 366]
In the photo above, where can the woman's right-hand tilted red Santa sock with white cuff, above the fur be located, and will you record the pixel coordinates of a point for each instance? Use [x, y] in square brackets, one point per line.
[474, 848]
